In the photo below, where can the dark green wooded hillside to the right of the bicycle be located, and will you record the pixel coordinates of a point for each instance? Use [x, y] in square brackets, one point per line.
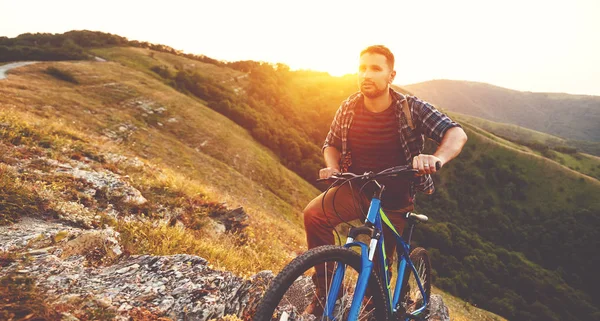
[510, 229]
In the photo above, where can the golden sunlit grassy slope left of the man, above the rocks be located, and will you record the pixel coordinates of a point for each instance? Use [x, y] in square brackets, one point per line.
[198, 150]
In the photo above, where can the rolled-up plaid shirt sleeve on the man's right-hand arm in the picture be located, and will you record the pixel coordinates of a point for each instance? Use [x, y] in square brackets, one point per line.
[434, 123]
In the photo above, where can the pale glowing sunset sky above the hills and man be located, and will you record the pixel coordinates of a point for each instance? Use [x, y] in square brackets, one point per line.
[527, 45]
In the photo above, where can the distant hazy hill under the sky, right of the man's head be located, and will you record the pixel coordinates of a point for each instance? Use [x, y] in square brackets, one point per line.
[569, 116]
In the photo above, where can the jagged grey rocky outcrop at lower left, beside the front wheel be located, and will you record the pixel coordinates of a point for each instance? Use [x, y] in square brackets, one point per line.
[181, 287]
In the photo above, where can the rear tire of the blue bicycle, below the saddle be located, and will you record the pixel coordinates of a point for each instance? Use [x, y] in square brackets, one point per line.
[411, 296]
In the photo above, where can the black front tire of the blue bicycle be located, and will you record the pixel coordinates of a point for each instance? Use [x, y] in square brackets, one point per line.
[297, 271]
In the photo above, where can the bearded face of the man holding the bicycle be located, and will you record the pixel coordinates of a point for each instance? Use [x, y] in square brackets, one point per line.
[374, 75]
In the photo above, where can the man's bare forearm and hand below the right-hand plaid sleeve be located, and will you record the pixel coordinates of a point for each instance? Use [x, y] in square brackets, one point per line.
[452, 143]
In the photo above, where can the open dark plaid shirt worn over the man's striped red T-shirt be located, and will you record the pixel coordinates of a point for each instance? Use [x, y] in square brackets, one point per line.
[427, 121]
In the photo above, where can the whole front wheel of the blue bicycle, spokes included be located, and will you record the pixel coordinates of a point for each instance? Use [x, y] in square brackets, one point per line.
[298, 294]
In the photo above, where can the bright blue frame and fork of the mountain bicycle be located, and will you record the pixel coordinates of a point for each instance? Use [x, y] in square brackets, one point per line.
[373, 227]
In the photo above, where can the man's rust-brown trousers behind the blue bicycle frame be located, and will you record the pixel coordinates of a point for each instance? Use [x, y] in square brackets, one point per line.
[319, 223]
